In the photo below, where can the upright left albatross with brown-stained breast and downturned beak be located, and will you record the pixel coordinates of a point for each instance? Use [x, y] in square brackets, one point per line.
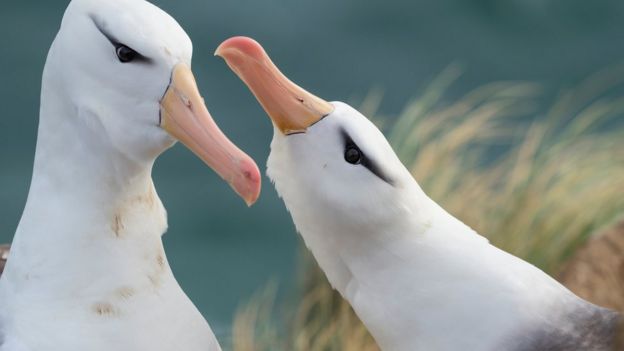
[87, 269]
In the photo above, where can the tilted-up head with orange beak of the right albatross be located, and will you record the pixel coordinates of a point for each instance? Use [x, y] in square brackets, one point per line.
[334, 169]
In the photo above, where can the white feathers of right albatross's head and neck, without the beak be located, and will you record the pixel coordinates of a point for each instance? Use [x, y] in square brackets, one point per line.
[417, 277]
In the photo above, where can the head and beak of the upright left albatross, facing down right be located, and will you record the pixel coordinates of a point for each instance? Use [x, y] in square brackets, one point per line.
[125, 67]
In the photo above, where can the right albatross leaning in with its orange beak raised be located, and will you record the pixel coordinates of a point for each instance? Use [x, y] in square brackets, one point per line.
[417, 277]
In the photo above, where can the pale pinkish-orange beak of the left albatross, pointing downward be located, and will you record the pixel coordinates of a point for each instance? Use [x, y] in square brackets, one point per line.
[185, 117]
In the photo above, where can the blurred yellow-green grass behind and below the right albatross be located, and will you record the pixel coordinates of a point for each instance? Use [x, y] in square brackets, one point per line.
[537, 189]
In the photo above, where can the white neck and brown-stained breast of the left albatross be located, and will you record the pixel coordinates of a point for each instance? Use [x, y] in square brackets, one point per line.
[87, 269]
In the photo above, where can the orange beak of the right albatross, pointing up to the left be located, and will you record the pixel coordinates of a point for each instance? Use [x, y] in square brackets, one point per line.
[291, 108]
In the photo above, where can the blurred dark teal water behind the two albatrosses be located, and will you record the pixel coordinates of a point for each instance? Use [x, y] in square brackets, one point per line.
[221, 251]
